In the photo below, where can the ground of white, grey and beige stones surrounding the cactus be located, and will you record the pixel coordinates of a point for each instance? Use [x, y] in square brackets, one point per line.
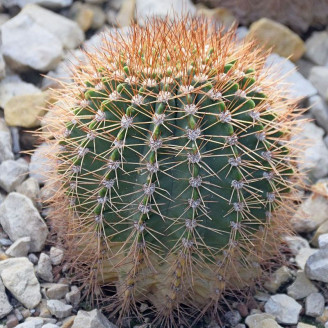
[45, 36]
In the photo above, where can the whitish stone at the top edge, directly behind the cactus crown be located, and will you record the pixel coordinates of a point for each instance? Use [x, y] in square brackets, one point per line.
[170, 8]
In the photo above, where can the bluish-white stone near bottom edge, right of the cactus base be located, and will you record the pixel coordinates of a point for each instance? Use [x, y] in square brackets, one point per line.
[284, 308]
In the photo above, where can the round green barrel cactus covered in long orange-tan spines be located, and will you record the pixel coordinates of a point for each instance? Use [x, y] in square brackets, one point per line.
[174, 168]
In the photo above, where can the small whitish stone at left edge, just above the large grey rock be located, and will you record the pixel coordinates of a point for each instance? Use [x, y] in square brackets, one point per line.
[12, 173]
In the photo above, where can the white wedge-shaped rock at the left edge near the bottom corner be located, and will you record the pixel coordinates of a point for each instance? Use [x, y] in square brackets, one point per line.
[19, 278]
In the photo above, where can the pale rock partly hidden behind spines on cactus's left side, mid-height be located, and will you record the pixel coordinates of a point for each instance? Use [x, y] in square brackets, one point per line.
[40, 164]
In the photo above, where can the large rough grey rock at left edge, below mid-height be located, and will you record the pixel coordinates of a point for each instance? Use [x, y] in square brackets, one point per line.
[23, 221]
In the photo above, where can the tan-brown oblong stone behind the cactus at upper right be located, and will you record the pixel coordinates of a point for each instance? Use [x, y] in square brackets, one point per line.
[280, 38]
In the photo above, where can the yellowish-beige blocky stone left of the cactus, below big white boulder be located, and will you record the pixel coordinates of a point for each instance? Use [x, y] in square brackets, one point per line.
[25, 110]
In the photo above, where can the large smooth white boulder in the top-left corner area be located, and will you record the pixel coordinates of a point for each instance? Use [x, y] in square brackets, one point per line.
[42, 50]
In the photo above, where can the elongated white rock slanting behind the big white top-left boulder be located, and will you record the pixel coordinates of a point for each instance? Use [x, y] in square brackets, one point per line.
[67, 31]
